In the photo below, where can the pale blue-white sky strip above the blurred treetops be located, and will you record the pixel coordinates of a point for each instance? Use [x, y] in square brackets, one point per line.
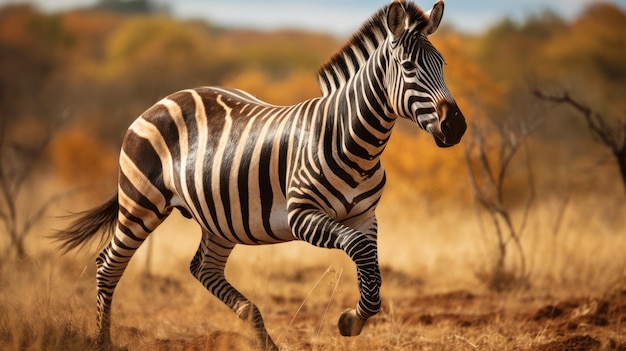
[341, 17]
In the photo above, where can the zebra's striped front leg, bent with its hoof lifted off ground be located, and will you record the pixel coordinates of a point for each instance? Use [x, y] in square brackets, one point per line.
[322, 231]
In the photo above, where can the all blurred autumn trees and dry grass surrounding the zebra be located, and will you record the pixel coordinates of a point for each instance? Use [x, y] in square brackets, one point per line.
[530, 206]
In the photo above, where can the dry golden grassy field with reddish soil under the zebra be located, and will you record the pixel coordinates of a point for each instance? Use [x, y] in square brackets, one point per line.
[434, 291]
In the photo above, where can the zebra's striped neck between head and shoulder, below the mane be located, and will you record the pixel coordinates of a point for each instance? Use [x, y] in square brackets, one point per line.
[363, 117]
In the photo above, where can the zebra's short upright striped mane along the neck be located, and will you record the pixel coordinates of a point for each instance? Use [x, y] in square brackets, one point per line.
[349, 59]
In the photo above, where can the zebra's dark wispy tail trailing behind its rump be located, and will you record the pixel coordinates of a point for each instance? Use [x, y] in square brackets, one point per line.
[86, 224]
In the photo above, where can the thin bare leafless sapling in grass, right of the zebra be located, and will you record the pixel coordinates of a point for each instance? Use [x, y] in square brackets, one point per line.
[488, 173]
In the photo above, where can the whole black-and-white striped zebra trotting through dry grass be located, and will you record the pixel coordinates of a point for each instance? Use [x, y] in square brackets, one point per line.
[253, 173]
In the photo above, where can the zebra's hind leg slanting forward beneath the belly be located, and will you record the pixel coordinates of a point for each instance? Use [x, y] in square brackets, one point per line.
[208, 267]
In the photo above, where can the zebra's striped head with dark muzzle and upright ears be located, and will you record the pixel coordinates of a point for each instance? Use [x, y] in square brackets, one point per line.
[415, 82]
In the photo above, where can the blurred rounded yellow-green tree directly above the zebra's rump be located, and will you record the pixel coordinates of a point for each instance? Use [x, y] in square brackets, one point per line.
[142, 60]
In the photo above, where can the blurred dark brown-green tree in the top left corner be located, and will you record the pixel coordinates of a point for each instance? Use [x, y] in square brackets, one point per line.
[33, 47]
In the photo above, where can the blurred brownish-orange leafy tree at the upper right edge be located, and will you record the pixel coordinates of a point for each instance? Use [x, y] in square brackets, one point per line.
[588, 73]
